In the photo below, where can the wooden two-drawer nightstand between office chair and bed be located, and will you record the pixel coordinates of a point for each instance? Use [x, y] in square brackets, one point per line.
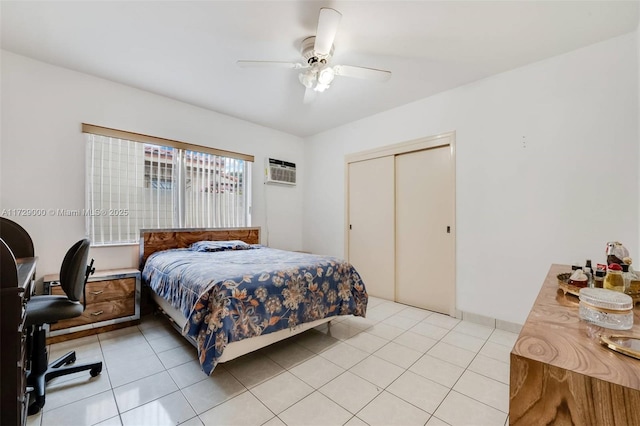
[113, 301]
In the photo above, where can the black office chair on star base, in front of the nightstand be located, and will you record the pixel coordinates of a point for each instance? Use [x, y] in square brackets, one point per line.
[49, 309]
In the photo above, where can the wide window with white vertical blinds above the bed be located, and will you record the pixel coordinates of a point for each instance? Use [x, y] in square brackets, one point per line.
[136, 181]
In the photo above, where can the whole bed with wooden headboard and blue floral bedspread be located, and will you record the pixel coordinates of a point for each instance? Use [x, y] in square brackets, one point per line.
[229, 295]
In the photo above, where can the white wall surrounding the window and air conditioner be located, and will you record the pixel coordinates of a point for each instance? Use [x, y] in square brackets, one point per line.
[42, 162]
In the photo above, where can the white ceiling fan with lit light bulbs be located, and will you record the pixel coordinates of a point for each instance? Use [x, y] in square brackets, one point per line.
[317, 50]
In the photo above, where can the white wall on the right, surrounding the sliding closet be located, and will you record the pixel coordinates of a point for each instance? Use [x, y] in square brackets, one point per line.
[546, 171]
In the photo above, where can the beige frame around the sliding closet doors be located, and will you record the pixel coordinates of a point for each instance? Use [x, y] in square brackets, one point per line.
[440, 140]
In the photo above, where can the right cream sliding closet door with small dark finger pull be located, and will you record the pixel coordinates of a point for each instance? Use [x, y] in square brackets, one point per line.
[425, 248]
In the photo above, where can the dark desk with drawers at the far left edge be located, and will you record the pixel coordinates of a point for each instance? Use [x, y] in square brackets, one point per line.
[14, 402]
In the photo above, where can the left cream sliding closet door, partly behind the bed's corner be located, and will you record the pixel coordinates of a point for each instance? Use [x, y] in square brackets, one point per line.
[370, 222]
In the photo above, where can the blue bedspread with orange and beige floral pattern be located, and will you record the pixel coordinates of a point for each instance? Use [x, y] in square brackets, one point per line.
[232, 295]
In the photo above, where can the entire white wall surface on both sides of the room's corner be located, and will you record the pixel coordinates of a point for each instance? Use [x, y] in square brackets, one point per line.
[547, 164]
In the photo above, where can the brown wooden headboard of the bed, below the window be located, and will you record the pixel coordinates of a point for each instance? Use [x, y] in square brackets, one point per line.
[153, 240]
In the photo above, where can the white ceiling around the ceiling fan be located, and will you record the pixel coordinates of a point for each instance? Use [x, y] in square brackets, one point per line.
[188, 50]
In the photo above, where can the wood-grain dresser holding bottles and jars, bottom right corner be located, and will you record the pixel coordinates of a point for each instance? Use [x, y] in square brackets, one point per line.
[561, 374]
